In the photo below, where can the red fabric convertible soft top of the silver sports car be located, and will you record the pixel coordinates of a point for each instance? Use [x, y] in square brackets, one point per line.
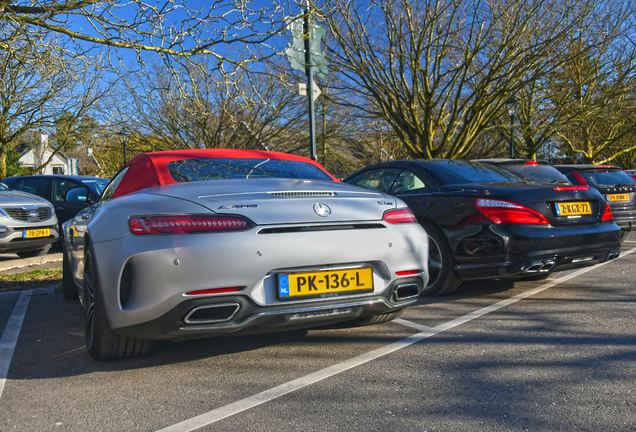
[151, 169]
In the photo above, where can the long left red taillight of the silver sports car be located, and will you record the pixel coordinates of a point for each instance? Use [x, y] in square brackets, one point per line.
[188, 224]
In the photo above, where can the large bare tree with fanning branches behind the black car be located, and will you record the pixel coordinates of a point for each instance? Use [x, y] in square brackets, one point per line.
[438, 71]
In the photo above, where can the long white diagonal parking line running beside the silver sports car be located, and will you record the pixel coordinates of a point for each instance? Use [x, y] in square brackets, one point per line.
[283, 389]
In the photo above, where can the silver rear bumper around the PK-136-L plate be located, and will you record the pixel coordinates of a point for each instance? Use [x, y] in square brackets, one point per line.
[163, 271]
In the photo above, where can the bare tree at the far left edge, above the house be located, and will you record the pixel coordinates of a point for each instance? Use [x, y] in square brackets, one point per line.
[43, 80]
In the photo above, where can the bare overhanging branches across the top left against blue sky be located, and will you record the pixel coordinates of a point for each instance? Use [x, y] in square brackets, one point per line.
[168, 28]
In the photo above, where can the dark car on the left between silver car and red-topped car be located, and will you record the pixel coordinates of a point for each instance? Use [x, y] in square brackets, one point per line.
[55, 189]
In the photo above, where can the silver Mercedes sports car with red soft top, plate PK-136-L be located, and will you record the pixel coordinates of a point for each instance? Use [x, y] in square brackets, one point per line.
[198, 243]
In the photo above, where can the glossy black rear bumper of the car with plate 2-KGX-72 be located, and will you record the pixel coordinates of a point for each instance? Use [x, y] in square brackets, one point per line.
[539, 250]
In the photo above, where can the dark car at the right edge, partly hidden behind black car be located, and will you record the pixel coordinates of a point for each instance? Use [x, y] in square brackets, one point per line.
[618, 188]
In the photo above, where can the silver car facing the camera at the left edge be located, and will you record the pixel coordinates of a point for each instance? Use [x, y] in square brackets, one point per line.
[28, 225]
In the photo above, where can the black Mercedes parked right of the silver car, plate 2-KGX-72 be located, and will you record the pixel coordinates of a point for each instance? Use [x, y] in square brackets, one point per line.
[486, 222]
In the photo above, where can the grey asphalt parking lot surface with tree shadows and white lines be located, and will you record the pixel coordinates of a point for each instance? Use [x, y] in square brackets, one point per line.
[553, 355]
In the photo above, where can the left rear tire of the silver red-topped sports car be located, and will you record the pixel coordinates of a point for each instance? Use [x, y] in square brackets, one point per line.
[102, 342]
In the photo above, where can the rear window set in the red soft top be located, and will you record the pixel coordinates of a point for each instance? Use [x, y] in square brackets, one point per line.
[238, 168]
